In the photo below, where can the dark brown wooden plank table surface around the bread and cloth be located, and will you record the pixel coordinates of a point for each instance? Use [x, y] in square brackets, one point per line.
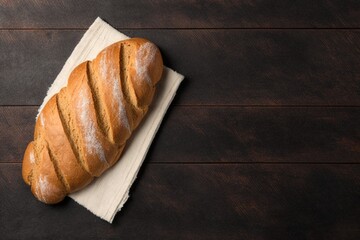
[261, 142]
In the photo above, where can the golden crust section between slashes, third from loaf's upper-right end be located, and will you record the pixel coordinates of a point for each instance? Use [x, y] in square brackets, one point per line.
[78, 110]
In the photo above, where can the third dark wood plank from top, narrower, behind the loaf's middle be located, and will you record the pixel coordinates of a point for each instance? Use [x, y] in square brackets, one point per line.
[226, 134]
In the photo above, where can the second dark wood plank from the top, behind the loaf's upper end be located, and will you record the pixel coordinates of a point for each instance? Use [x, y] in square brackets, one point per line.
[241, 67]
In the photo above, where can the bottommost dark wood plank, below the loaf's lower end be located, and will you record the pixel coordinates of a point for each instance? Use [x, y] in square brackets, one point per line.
[237, 201]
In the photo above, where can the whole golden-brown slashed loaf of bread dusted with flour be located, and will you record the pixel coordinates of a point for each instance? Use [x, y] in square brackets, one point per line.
[82, 130]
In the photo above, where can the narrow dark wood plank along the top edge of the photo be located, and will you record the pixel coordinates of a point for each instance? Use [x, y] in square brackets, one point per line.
[181, 14]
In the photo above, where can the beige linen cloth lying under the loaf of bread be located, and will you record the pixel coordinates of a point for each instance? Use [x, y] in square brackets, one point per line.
[106, 195]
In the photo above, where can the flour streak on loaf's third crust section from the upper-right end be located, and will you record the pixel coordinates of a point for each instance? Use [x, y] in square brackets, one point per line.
[91, 141]
